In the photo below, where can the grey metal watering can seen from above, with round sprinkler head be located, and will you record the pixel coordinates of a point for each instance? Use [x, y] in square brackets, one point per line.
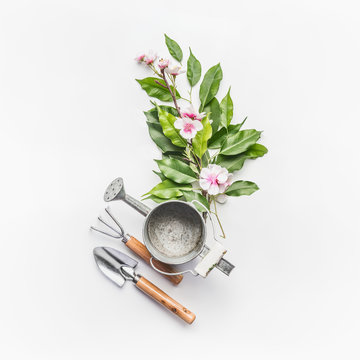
[174, 233]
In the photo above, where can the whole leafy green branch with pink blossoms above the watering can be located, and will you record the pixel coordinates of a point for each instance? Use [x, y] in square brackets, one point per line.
[199, 146]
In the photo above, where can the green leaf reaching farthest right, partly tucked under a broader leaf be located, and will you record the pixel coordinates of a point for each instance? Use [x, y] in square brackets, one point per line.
[236, 162]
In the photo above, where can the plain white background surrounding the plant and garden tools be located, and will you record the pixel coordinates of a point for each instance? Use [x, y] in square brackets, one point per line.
[71, 121]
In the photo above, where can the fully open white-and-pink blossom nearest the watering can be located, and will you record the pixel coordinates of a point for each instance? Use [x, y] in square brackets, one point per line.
[215, 179]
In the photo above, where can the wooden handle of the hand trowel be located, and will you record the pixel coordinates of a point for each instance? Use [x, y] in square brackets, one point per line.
[153, 291]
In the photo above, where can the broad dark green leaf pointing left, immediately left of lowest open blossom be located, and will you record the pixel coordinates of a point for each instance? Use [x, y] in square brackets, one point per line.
[177, 171]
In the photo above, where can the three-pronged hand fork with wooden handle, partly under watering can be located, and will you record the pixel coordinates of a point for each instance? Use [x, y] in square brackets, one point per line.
[136, 246]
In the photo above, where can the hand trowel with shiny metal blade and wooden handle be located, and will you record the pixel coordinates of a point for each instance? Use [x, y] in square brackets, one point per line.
[119, 267]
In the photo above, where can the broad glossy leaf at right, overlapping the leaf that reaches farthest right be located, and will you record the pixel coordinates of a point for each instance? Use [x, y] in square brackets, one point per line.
[239, 142]
